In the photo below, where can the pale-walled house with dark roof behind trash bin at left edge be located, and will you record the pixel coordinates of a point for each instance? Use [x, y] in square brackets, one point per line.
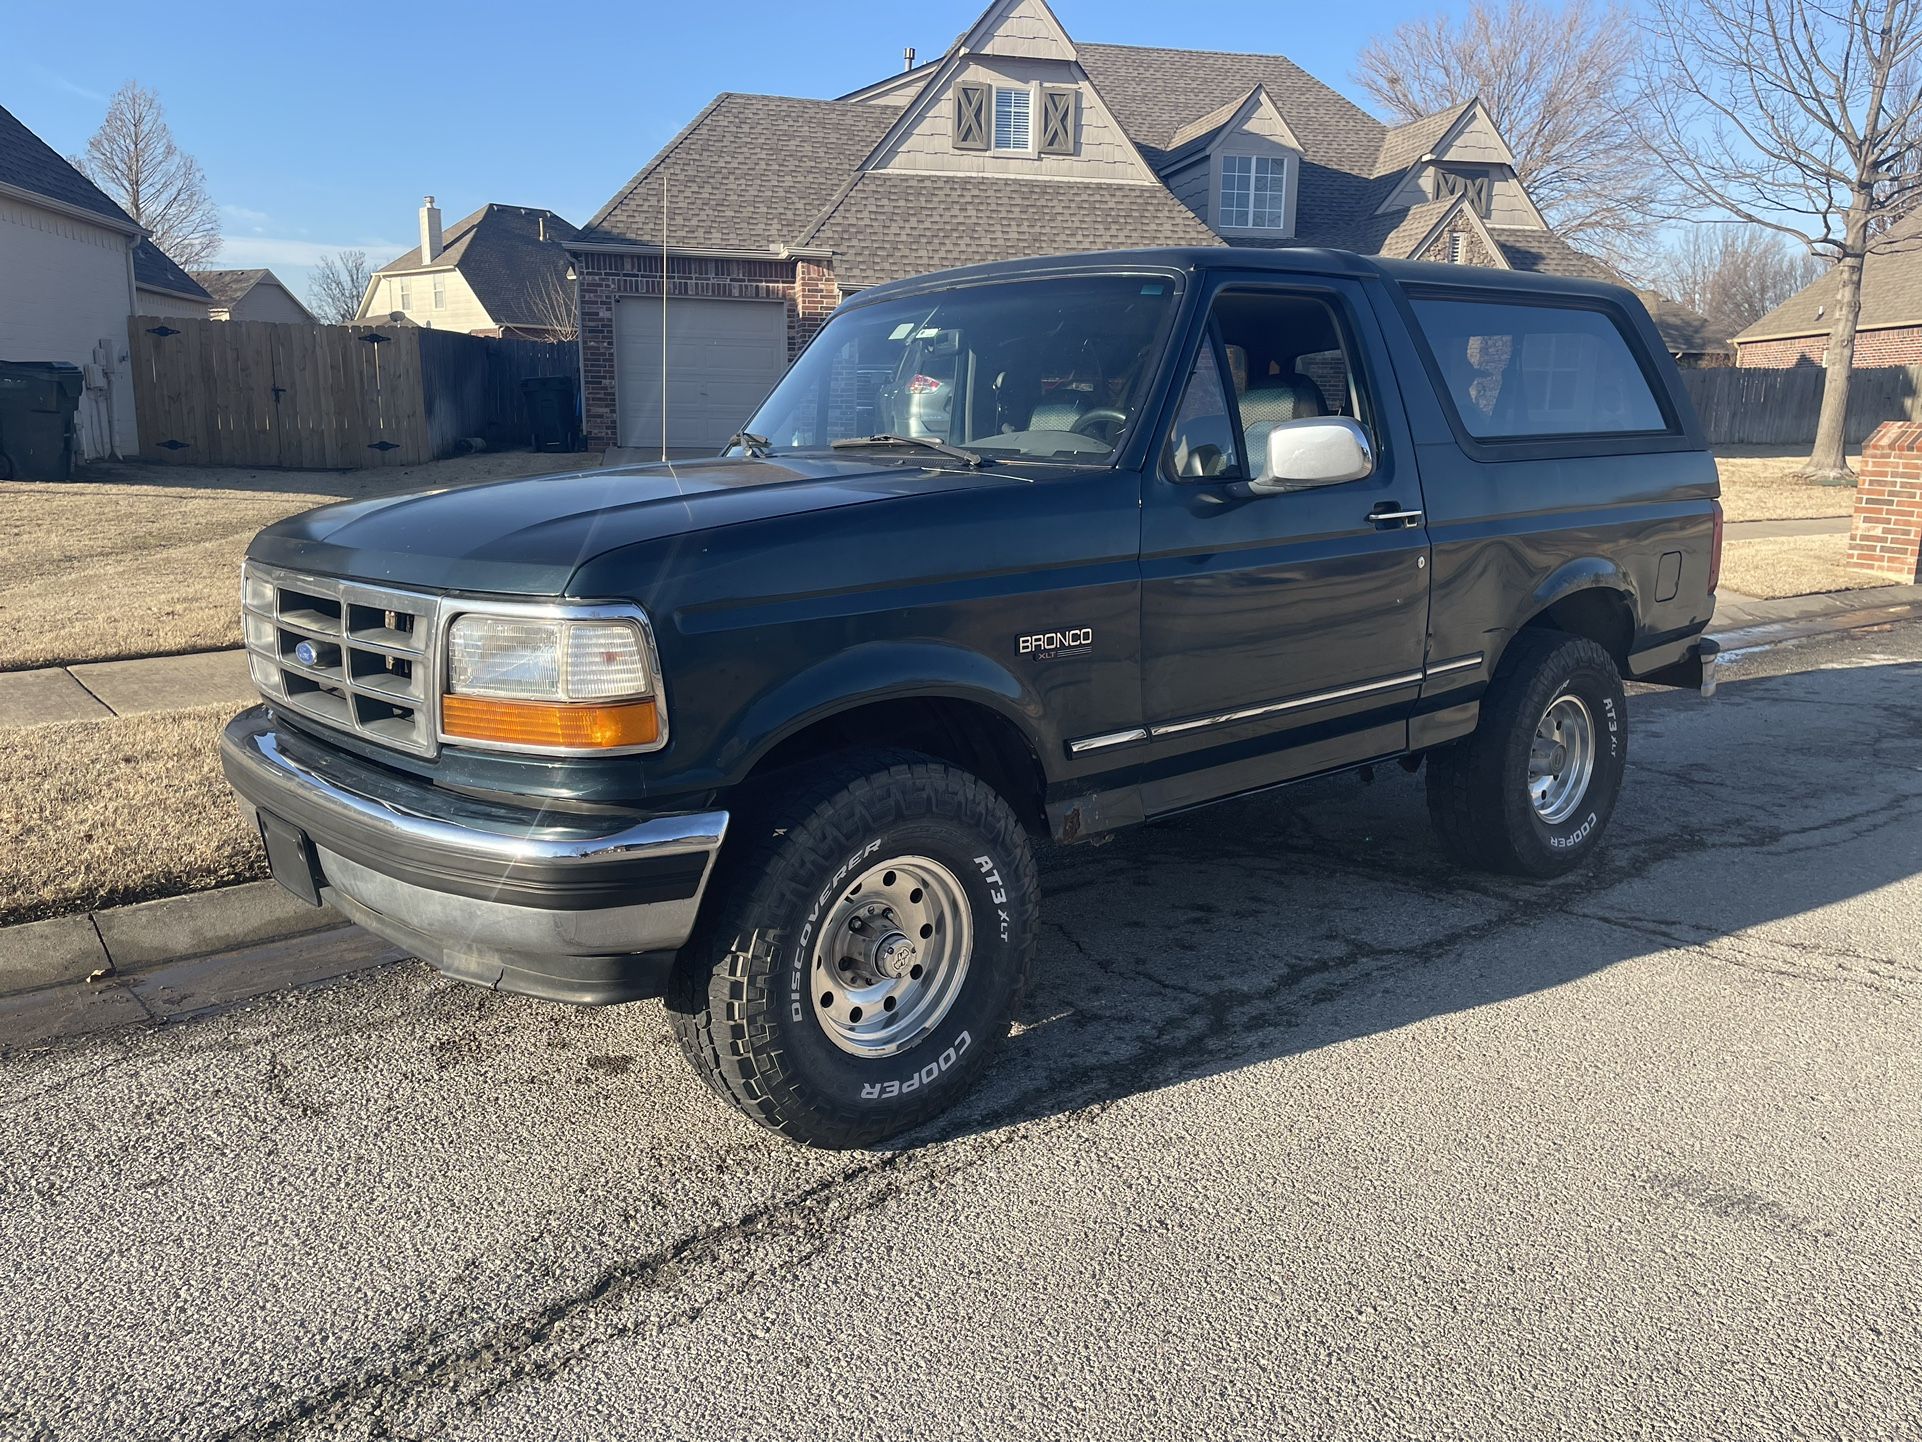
[68, 284]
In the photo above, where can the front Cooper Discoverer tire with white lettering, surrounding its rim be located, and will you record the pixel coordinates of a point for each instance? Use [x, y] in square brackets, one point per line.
[743, 995]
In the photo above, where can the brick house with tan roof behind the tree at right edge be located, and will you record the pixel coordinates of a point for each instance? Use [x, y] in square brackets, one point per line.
[1888, 330]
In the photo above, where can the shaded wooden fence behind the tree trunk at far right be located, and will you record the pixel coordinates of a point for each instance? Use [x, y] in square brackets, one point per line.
[1744, 407]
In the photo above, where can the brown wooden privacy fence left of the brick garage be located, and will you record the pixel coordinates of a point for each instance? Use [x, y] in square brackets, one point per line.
[328, 397]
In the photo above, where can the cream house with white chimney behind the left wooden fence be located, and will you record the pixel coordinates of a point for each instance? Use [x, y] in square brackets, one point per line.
[497, 272]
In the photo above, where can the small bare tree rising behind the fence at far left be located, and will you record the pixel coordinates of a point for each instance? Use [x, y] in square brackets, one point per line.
[136, 161]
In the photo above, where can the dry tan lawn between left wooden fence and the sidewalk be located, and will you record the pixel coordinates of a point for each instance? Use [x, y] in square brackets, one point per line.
[145, 560]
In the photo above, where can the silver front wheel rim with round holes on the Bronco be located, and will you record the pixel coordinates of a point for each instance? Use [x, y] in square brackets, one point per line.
[893, 957]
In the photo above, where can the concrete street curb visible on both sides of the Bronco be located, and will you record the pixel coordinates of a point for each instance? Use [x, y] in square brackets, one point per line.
[184, 955]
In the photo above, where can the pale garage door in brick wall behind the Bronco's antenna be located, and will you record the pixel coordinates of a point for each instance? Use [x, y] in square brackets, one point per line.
[724, 357]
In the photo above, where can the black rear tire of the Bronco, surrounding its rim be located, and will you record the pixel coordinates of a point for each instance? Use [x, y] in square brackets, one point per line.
[1479, 787]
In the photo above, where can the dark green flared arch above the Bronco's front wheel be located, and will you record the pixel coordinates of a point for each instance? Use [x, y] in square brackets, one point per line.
[879, 672]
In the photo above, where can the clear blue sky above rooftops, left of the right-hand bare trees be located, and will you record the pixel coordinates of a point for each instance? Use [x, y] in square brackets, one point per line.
[322, 128]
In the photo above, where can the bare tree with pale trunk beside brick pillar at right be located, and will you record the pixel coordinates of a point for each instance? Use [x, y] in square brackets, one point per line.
[1800, 116]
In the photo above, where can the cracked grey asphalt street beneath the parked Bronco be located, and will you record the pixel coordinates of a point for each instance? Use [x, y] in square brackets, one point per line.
[1304, 1133]
